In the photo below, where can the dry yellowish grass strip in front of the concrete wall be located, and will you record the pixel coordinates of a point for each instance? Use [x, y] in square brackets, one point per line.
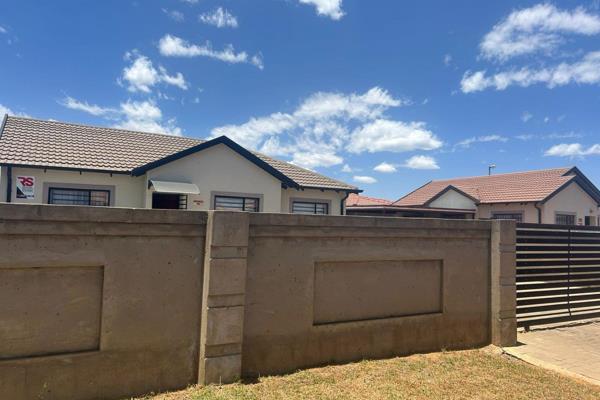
[472, 374]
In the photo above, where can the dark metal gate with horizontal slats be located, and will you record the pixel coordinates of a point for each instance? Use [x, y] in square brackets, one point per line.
[558, 273]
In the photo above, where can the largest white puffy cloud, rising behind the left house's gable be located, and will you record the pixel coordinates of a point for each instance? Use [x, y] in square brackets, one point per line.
[326, 124]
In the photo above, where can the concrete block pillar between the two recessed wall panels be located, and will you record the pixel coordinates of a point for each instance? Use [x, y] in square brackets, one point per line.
[223, 295]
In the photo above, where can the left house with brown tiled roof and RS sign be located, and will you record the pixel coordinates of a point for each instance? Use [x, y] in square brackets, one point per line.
[61, 163]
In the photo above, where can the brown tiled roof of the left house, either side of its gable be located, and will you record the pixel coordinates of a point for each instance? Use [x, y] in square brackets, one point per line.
[26, 141]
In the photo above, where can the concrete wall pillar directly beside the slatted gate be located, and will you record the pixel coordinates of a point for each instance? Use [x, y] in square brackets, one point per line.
[503, 285]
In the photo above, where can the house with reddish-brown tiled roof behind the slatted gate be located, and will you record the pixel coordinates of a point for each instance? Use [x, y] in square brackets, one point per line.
[551, 196]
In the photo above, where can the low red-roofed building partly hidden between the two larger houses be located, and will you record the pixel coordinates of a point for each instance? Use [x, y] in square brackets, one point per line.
[370, 206]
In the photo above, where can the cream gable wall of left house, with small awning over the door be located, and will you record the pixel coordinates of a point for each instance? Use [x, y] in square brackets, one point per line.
[219, 169]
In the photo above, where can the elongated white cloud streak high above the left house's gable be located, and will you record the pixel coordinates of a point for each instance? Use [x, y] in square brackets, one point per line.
[173, 46]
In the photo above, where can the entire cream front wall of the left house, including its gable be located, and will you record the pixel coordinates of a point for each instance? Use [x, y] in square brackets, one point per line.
[216, 170]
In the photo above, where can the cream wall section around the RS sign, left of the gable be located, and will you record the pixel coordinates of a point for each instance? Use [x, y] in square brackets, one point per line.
[128, 190]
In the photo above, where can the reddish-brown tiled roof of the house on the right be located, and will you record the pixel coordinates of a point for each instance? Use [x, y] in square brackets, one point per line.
[527, 186]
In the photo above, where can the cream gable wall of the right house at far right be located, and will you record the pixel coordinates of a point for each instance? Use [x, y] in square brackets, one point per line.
[571, 199]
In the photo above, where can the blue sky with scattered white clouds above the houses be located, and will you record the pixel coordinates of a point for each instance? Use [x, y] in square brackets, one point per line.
[383, 94]
